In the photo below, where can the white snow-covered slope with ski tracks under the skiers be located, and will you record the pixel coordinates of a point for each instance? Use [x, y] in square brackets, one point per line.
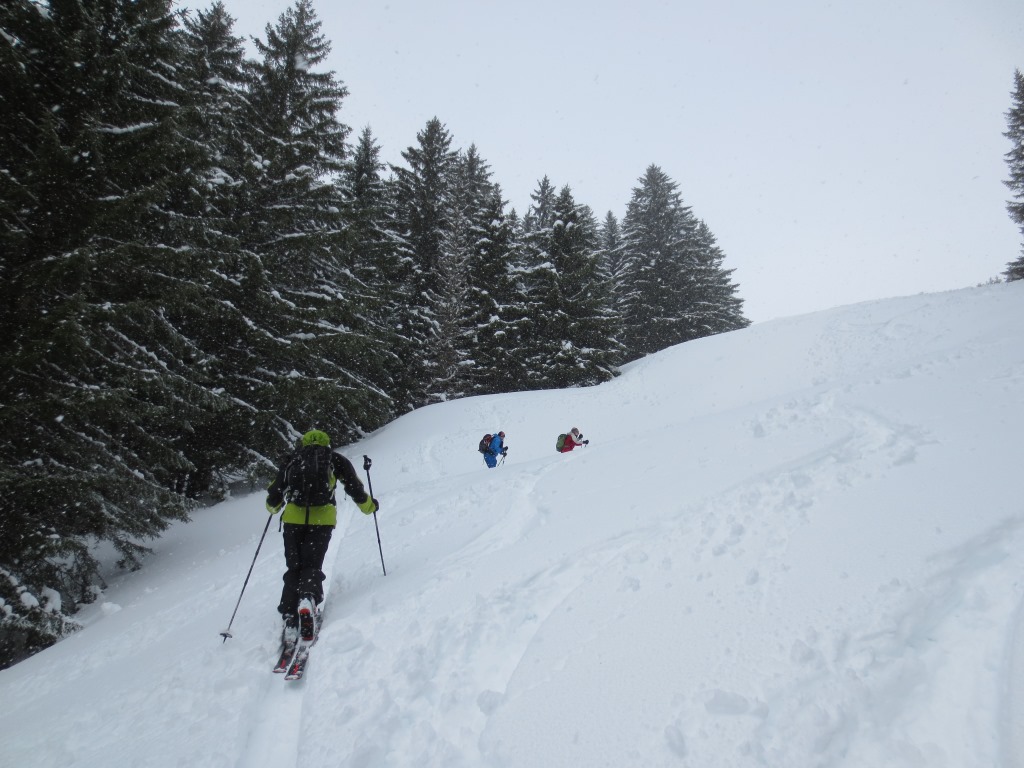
[796, 545]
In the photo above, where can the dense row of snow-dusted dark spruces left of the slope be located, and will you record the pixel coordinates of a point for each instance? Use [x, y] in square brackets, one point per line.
[199, 261]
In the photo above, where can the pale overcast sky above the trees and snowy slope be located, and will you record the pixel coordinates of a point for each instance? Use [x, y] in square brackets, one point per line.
[839, 152]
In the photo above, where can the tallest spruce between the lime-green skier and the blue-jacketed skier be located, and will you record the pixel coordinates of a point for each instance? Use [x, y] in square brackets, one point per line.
[435, 275]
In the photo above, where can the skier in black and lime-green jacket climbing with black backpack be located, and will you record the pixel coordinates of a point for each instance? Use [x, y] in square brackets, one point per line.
[306, 489]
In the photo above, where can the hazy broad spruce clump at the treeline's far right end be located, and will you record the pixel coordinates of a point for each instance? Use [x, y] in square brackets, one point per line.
[673, 288]
